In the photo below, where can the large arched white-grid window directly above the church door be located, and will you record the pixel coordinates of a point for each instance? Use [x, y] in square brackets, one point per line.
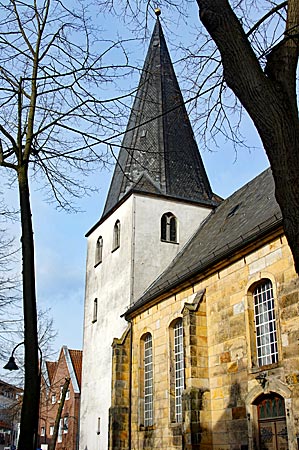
[265, 324]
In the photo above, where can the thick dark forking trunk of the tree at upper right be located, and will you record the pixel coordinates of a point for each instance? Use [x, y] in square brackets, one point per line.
[268, 96]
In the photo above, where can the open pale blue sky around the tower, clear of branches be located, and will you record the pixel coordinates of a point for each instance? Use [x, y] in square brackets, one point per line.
[59, 237]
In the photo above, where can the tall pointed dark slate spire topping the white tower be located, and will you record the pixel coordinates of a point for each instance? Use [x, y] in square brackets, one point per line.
[159, 153]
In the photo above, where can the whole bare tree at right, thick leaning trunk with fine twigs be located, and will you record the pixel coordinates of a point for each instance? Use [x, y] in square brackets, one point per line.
[245, 57]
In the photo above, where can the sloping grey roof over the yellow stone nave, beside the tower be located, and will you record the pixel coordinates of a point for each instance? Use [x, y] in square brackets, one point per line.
[246, 216]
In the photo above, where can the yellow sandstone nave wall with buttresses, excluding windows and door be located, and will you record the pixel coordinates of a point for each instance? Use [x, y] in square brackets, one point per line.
[222, 383]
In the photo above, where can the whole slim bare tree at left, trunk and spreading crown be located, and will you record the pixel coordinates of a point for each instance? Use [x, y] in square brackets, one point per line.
[54, 115]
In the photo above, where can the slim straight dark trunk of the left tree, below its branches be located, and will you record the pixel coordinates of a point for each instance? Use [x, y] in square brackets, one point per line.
[30, 406]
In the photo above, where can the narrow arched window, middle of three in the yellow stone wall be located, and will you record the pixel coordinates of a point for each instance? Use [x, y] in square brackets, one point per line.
[177, 370]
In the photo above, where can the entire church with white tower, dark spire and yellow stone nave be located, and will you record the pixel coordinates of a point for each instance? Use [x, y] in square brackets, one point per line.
[191, 330]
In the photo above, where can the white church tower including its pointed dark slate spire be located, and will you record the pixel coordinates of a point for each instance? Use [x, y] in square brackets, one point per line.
[158, 196]
